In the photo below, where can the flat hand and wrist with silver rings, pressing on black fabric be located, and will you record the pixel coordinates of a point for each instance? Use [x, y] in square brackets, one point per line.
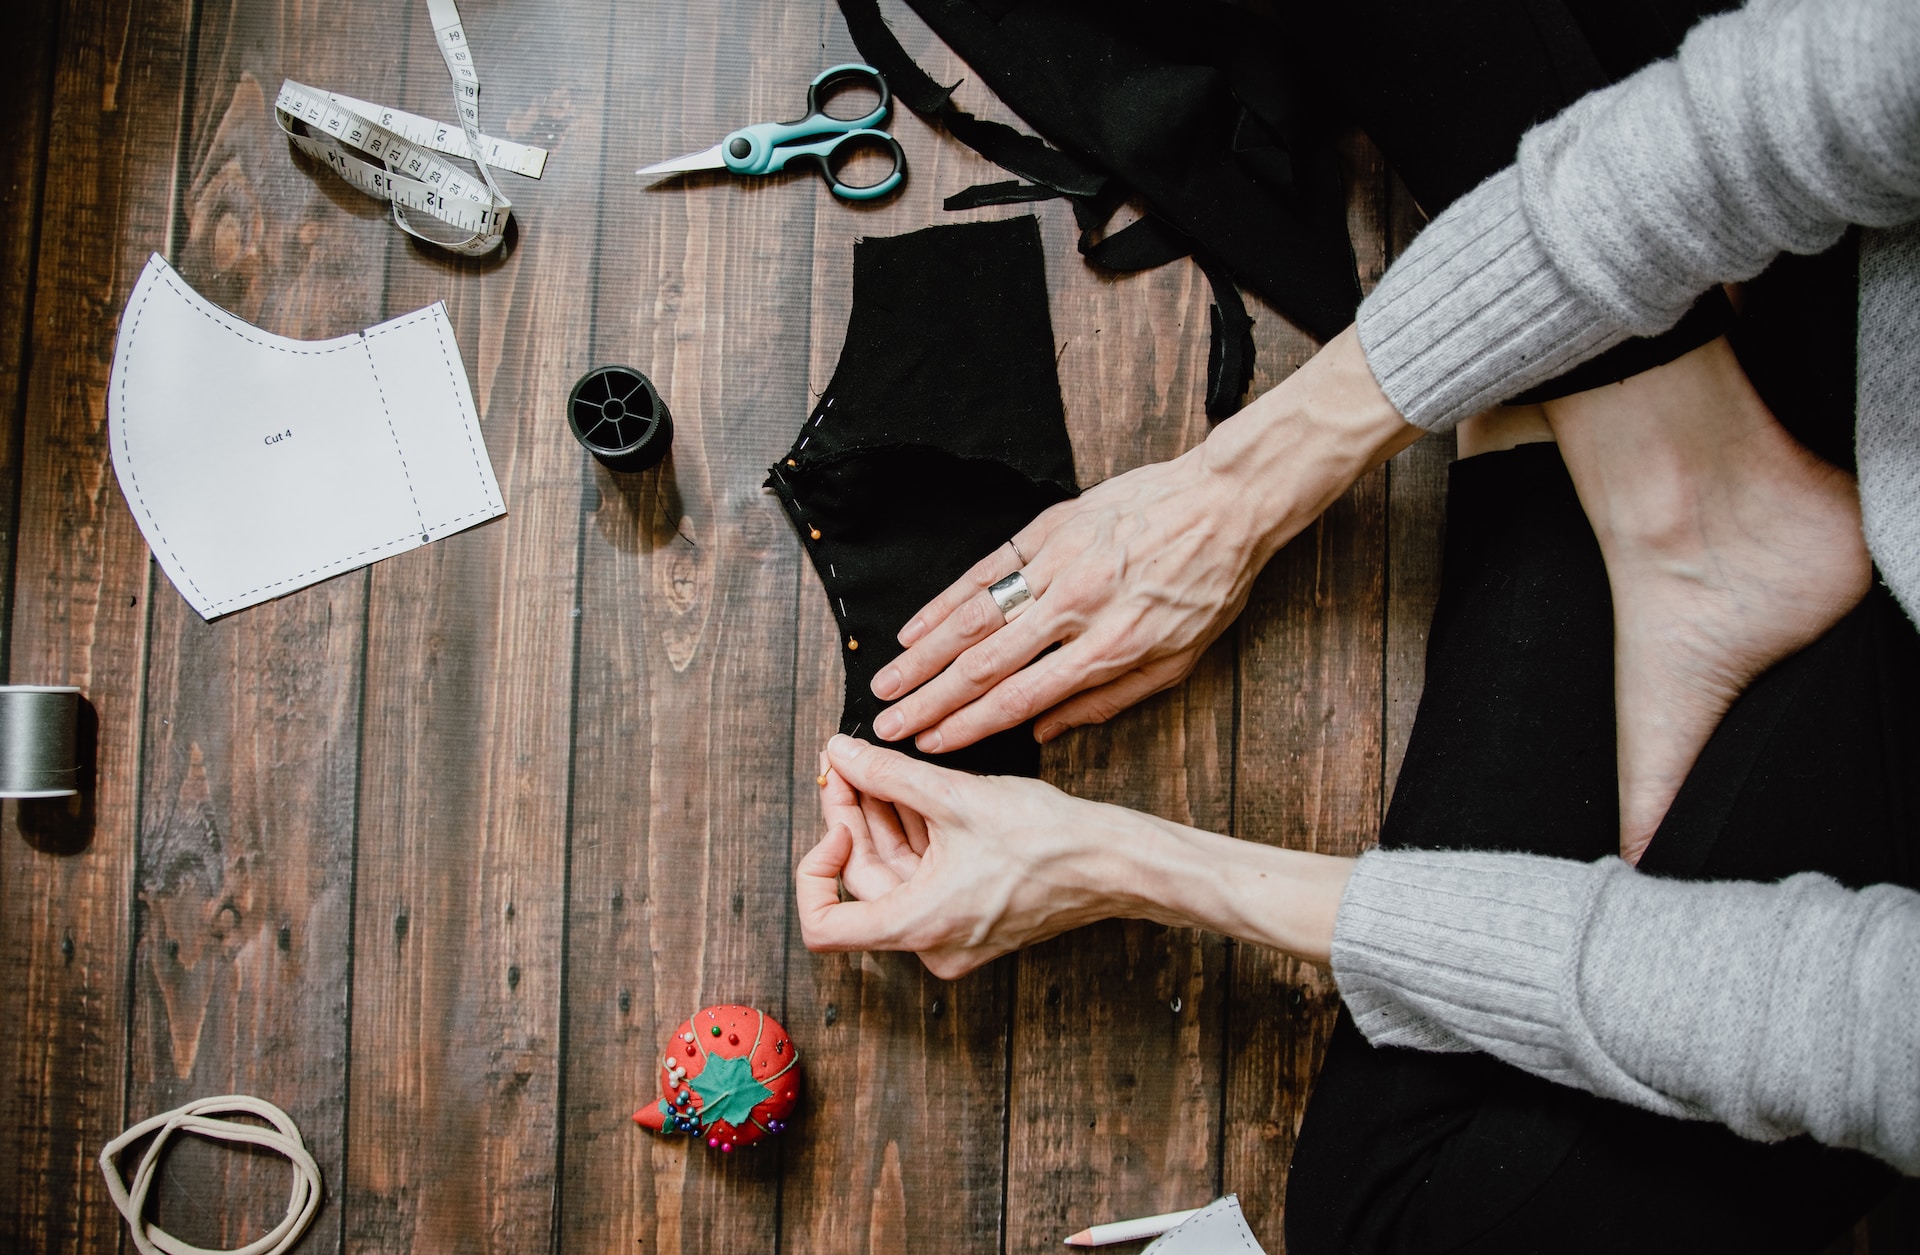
[1138, 577]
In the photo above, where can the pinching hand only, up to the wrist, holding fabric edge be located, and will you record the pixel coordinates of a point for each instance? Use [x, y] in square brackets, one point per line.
[957, 868]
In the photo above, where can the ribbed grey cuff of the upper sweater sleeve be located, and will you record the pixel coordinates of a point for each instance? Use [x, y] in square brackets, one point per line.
[1476, 314]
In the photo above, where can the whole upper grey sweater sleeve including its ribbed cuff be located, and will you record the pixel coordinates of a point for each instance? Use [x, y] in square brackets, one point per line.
[1773, 130]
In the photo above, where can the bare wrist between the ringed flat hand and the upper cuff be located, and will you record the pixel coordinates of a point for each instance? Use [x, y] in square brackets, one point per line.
[1282, 462]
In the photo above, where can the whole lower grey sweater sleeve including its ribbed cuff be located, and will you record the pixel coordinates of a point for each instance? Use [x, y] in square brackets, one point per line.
[1771, 1008]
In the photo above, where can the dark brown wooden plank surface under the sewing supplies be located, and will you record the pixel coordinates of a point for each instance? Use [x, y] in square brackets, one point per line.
[435, 853]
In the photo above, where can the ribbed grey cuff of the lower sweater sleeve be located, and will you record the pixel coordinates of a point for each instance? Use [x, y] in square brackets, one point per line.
[1468, 951]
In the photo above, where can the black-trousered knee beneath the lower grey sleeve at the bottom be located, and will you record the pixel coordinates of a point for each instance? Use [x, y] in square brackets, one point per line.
[1418, 1154]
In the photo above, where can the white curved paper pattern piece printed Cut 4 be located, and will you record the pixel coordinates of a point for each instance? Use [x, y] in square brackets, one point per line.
[258, 465]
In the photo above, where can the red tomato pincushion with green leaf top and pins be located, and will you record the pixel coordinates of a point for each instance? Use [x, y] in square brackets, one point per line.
[731, 1076]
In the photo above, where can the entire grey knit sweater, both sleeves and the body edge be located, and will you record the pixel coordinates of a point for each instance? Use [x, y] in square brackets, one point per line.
[1775, 1008]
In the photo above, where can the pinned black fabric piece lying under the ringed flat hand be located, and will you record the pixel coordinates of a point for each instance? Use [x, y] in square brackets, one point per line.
[940, 437]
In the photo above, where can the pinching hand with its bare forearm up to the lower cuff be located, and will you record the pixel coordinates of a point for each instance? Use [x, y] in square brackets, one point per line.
[967, 868]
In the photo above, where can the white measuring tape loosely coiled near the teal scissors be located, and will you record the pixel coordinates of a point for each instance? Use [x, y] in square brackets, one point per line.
[398, 164]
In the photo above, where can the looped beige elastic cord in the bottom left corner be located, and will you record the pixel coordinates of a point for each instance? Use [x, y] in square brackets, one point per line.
[197, 1118]
